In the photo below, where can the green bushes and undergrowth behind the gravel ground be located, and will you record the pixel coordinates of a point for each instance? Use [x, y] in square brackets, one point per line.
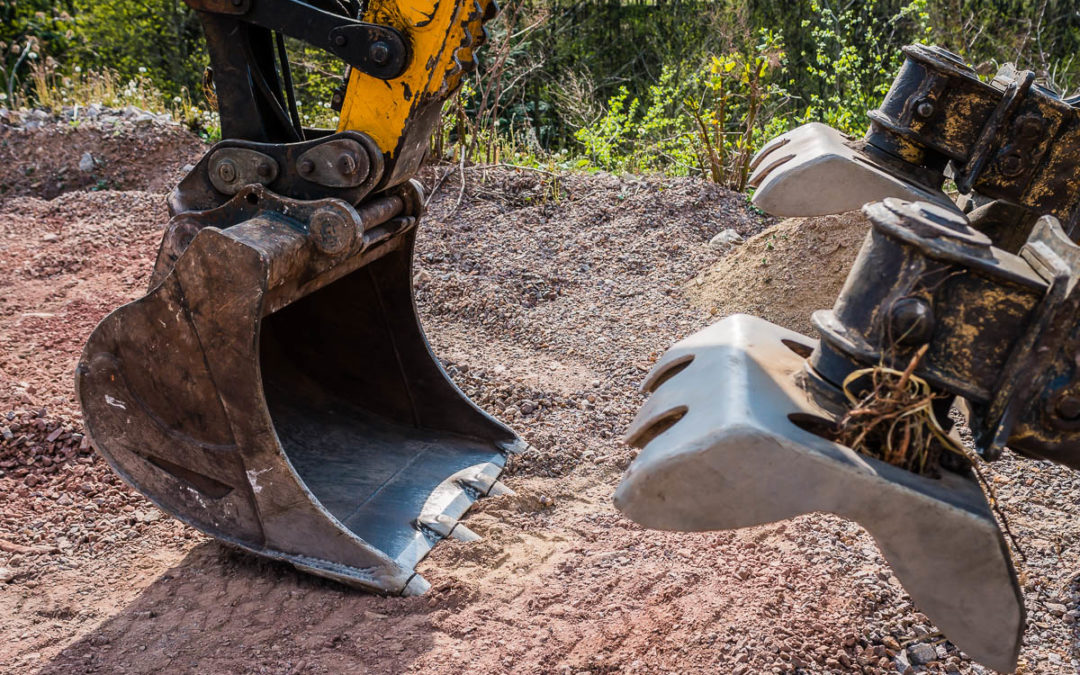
[682, 87]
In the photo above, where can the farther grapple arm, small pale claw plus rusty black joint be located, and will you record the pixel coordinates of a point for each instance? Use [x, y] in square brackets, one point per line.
[1009, 140]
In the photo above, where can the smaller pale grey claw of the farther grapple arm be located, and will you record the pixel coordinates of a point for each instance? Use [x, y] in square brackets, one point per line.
[816, 171]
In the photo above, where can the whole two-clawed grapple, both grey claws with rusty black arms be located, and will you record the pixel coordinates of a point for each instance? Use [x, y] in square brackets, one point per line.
[973, 306]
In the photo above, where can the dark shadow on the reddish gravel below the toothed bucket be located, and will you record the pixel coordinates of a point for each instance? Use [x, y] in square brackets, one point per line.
[222, 611]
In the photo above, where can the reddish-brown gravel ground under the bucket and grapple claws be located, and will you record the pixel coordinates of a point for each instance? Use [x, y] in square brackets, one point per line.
[548, 300]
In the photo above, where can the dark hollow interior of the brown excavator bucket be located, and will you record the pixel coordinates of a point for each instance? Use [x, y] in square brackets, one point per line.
[361, 408]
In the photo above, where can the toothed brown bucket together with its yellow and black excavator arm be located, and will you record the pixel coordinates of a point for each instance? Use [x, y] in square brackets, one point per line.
[275, 388]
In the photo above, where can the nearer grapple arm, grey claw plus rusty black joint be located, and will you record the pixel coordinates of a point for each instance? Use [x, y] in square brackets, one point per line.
[746, 418]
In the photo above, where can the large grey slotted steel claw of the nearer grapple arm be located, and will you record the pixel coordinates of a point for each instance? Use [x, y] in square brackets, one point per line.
[723, 449]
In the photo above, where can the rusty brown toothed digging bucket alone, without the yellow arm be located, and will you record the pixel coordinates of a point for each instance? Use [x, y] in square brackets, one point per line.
[275, 389]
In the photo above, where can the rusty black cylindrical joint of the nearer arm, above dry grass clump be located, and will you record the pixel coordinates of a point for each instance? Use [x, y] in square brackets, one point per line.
[1002, 330]
